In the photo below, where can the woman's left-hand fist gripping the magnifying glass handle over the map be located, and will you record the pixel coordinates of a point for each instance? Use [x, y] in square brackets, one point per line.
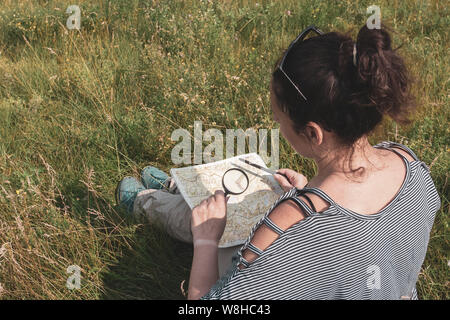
[209, 217]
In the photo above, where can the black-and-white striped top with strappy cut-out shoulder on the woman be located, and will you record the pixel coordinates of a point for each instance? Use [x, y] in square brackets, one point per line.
[338, 253]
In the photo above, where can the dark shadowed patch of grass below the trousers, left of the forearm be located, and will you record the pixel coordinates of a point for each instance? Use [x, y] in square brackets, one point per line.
[154, 267]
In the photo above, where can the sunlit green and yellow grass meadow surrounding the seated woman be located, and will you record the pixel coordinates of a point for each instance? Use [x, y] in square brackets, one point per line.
[79, 110]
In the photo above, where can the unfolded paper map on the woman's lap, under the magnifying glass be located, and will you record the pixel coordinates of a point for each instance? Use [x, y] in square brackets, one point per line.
[197, 183]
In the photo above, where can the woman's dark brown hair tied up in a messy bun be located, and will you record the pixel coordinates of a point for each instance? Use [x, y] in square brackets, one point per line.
[346, 99]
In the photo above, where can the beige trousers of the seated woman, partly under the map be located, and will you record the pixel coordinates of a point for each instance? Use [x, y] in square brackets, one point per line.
[168, 208]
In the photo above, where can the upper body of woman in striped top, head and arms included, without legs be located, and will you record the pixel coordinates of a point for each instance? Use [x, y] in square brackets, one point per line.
[360, 228]
